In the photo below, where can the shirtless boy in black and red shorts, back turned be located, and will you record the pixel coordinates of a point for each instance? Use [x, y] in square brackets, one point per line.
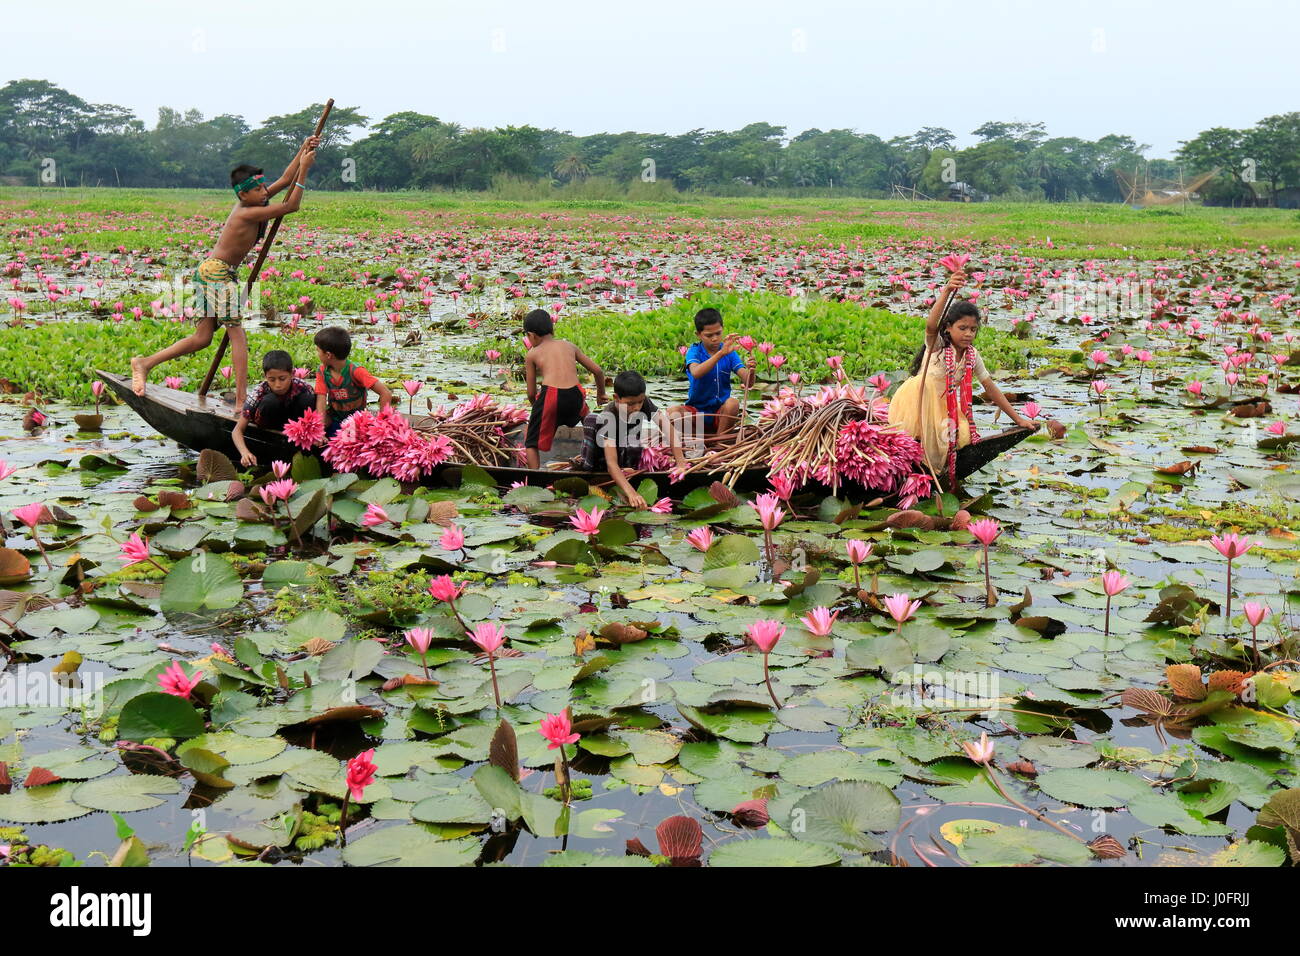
[561, 400]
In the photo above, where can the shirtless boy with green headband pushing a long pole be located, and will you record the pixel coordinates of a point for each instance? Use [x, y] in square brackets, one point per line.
[216, 288]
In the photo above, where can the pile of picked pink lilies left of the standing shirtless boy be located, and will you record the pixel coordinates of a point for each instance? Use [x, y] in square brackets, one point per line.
[388, 443]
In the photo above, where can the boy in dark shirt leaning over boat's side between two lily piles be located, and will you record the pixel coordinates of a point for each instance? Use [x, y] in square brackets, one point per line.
[614, 440]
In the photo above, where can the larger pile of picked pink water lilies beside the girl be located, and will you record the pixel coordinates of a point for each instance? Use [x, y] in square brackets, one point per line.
[837, 435]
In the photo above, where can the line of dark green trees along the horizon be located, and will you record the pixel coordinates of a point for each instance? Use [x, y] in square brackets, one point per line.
[49, 136]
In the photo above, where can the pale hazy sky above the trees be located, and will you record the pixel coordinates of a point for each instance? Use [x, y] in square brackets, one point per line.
[1159, 72]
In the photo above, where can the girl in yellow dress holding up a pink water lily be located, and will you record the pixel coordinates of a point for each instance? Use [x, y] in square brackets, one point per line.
[938, 413]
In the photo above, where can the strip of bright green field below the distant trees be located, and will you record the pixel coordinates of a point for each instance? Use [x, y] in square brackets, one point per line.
[1072, 228]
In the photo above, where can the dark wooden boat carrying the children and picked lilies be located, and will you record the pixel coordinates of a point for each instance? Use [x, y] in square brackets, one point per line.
[207, 423]
